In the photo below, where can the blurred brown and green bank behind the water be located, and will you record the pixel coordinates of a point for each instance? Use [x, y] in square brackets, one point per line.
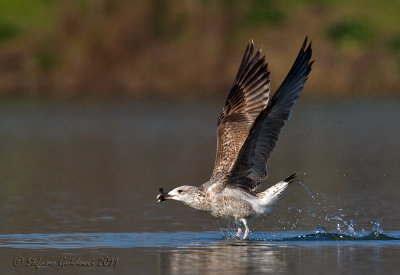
[193, 47]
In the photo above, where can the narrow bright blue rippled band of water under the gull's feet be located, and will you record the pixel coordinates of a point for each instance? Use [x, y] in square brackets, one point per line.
[195, 239]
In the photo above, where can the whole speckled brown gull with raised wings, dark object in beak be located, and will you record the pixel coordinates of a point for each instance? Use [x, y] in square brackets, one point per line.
[247, 131]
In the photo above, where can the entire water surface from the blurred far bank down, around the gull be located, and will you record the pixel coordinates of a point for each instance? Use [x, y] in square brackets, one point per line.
[79, 182]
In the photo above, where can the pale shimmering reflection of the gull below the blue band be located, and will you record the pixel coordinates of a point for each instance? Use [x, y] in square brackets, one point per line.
[242, 258]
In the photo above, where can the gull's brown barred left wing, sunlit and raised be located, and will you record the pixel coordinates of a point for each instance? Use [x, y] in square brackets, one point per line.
[248, 96]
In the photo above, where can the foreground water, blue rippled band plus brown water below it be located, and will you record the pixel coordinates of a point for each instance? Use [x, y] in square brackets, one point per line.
[203, 252]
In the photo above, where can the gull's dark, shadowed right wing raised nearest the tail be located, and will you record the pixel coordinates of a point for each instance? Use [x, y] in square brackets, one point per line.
[250, 167]
